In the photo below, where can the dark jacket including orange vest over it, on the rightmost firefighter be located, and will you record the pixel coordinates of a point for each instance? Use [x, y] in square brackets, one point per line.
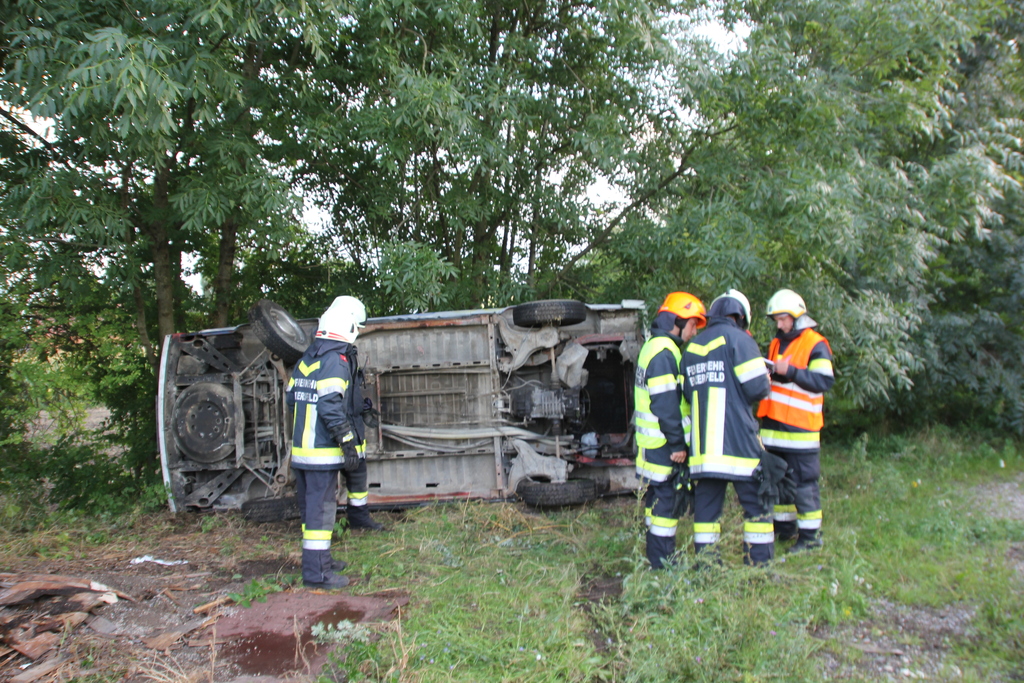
[792, 414]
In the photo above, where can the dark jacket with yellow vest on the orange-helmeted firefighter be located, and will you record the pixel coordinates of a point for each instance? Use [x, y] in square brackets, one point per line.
[661, 414]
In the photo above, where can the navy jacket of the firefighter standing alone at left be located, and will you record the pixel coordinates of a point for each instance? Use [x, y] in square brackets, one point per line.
[326, 394]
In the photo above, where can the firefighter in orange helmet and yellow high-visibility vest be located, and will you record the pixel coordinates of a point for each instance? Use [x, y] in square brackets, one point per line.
[663, 417]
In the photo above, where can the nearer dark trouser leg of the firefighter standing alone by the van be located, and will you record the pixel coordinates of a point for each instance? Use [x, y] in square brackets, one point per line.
[318, 498]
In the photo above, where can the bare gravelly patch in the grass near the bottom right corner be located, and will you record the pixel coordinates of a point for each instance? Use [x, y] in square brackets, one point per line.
[899, 643]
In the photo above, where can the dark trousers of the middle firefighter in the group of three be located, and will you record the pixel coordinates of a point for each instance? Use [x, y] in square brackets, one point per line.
[759, 536]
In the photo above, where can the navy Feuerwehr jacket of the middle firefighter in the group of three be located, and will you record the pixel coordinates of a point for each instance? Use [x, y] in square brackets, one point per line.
[724, 377]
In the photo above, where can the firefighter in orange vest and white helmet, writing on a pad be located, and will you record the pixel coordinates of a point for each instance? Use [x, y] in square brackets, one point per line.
[791, 416]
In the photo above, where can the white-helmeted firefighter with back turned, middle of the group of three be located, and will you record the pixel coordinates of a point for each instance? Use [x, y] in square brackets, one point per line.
[726, 376]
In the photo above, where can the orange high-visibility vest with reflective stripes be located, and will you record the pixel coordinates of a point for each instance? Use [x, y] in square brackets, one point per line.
[789, 403]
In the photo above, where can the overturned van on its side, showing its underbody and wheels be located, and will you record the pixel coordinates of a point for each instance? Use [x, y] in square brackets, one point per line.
[534, 401]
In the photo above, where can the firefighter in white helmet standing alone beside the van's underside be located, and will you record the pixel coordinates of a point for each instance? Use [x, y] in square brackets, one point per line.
[327, 438]
